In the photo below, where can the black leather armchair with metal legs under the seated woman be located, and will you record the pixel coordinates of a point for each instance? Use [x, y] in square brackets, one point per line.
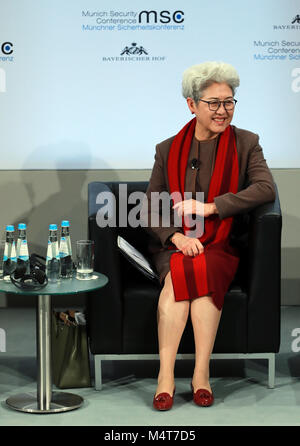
[121, 317]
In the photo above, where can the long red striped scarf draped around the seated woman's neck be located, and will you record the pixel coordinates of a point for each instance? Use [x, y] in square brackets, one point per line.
[209, 273]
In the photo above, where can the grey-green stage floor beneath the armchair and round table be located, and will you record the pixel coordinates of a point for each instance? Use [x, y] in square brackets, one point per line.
[242, 397]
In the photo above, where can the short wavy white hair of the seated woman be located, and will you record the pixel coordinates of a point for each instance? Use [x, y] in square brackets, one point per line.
[199, 77]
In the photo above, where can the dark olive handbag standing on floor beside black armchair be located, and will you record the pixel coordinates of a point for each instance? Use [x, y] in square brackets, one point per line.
[70, 353]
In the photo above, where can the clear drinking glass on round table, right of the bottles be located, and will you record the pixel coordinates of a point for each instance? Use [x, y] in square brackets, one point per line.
[85, 259]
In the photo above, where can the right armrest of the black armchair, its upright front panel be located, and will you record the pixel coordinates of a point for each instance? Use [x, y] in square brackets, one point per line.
[264, 268]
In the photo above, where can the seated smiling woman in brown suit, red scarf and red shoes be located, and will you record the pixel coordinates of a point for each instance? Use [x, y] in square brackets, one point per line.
[227, 164]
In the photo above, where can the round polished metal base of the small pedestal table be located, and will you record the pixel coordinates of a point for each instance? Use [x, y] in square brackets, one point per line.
[60, 402]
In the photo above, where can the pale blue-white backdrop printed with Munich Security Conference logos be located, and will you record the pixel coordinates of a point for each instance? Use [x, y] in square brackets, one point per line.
[70, 100]
